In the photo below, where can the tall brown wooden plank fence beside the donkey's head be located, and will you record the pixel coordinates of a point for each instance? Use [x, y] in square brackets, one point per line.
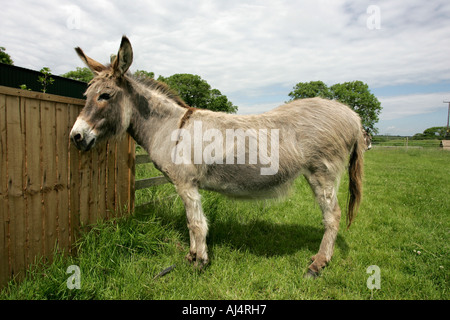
[48, 189]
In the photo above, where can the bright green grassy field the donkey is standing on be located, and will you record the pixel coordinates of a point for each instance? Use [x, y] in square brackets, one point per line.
[261, 250]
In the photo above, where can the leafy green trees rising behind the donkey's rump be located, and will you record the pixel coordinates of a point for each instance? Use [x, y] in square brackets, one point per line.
[355, 94]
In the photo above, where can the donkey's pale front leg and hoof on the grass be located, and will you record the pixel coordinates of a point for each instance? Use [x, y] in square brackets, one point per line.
[197, 224]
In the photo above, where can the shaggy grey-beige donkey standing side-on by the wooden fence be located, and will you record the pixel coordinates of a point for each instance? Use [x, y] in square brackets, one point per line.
[314, 137]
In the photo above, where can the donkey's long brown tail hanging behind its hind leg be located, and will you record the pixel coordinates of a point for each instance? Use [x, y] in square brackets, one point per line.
[355, 175]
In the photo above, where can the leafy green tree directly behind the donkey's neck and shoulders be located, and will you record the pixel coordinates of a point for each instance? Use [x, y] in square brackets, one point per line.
[197, 93]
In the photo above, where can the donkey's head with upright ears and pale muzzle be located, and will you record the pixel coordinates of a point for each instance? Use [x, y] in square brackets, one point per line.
[107, 111]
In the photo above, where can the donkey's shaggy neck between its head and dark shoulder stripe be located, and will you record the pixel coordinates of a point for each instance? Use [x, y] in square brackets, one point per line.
[154, 115]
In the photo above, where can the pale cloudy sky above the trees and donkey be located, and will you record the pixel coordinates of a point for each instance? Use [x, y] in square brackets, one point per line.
[255, 52]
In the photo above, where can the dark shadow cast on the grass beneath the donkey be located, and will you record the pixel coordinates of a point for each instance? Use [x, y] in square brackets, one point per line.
[257, 236]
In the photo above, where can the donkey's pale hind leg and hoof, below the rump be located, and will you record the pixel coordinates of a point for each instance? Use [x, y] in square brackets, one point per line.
[325, 189]
